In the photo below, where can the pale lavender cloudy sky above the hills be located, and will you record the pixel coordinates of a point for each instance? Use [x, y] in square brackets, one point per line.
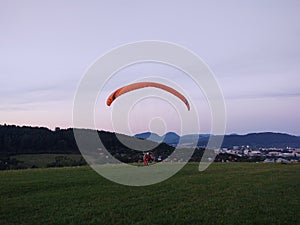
[252, 47]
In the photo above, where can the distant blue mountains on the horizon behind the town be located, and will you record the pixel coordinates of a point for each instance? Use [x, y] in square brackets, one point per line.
[255, 140]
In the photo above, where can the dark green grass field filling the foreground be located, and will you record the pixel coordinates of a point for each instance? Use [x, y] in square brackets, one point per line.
[232, 193]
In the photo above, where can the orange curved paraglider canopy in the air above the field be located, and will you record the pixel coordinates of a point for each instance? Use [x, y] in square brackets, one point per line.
[138, 85]
